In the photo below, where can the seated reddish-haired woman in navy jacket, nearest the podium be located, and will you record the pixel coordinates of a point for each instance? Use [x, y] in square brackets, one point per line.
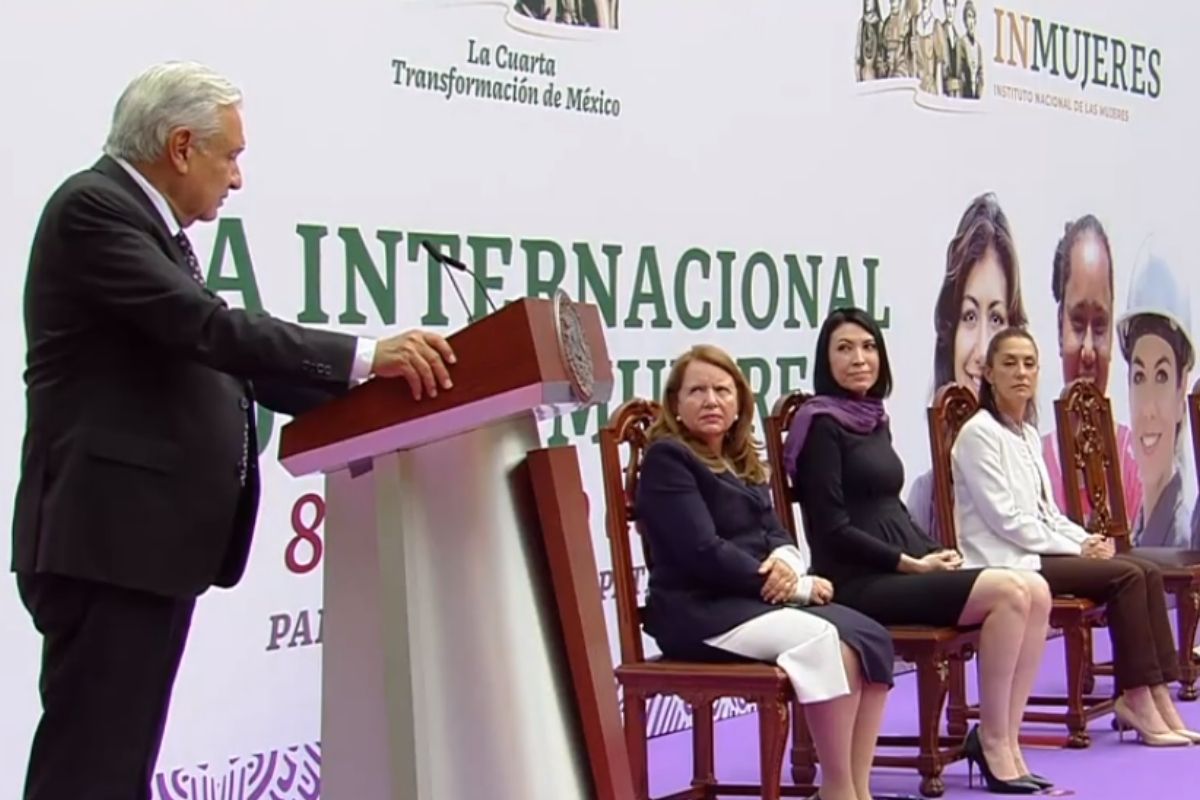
[728, 582]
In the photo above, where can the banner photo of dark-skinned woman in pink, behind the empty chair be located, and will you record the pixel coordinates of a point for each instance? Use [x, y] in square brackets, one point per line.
[1082, 282]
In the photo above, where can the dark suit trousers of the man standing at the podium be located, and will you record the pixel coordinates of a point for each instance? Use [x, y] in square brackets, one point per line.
[110, 658]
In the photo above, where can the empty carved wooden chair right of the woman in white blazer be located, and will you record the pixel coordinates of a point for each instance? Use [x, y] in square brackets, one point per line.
[1091, 464]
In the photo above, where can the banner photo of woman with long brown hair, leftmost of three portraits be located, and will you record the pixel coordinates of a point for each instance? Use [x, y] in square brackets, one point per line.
[981, 296]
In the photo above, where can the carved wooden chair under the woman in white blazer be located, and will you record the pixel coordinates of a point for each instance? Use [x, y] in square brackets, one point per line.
[1076, 617]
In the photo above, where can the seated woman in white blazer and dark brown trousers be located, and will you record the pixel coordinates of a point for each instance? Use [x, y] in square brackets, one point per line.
[1006, 516]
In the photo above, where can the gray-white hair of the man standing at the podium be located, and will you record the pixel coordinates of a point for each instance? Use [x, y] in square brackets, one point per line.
[166, 97]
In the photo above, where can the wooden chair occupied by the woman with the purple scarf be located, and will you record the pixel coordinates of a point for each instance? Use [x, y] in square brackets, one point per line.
[931, 649]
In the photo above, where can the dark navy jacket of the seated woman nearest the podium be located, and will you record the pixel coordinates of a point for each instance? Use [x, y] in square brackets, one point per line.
[709, 534]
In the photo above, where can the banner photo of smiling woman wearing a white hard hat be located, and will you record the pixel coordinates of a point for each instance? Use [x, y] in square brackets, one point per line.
[1156, 342]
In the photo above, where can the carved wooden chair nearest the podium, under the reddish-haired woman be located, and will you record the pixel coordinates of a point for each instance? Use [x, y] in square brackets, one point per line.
[700, 685]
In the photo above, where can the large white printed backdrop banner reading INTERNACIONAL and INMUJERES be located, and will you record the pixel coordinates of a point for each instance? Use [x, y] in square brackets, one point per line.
[703, 172]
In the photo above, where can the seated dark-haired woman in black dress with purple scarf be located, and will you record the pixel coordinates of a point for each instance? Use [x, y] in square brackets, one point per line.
[848, 479]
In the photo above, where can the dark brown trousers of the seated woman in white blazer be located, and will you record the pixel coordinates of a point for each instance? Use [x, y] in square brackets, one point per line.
[1143, 647]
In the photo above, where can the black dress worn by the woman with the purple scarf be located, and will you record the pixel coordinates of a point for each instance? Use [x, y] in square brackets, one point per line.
[849, 489]
